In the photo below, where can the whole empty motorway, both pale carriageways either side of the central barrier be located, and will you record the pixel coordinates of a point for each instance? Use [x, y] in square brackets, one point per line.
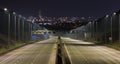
[79, 52]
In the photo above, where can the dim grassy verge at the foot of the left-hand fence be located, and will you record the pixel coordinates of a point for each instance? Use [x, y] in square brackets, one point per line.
[4, 47]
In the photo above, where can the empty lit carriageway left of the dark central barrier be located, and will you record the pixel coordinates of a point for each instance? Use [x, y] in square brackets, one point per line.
[43, 52]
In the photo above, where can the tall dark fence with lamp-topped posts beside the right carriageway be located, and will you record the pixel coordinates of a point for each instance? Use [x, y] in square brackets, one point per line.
[105, 29]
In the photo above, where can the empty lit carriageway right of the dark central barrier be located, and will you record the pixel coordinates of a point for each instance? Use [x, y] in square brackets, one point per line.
[81, 52]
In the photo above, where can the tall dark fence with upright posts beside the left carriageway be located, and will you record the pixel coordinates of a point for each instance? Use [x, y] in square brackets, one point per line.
[14, 28]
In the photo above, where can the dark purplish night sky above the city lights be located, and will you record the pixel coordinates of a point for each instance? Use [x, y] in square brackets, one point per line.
[96, 8]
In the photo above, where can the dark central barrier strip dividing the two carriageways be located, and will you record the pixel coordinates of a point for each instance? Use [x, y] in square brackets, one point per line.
[62, 55]
